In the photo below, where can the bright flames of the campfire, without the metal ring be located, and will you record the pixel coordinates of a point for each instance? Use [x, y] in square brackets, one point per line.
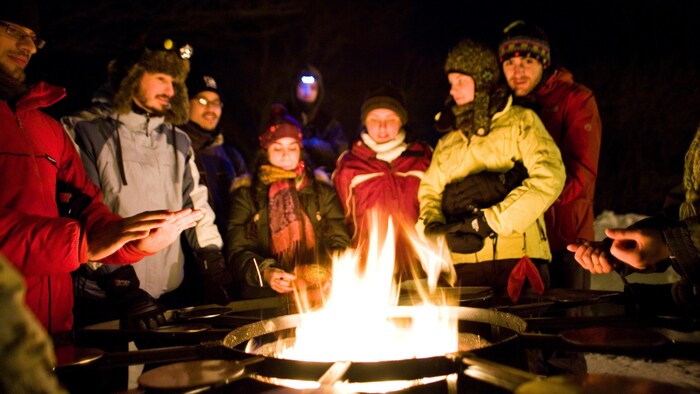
[358, 321]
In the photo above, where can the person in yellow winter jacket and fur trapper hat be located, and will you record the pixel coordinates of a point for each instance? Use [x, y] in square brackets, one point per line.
[491, 244]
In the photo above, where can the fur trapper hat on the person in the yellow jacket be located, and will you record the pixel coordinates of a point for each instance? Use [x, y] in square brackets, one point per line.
[481, 63]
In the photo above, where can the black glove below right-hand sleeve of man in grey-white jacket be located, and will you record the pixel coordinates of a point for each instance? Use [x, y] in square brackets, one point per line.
[217, 278]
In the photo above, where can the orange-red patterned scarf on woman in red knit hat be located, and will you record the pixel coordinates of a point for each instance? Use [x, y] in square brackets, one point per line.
[292, 234]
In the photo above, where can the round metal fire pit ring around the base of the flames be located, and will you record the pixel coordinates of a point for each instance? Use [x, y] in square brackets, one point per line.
[478, 329]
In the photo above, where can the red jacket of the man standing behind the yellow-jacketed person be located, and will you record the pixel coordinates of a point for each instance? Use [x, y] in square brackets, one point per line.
[570, 114]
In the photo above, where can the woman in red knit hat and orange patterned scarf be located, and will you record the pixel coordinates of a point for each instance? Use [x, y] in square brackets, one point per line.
[284, 226]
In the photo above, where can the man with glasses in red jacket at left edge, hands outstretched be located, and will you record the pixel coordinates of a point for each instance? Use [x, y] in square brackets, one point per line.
[51, 215]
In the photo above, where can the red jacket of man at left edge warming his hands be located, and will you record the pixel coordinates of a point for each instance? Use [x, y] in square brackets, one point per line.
[36, 157]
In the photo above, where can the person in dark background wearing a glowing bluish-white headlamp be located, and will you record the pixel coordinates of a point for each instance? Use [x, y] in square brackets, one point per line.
[324, 137]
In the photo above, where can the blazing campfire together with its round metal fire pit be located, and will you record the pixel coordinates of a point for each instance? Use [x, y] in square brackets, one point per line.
[362, 335]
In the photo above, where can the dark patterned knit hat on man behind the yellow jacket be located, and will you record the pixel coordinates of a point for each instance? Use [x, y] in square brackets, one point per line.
[521, 39]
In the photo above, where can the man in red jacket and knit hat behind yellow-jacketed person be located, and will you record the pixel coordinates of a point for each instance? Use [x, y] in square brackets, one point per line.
[570, 114]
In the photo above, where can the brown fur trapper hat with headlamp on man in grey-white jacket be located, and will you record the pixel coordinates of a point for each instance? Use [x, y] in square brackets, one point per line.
[168, 60]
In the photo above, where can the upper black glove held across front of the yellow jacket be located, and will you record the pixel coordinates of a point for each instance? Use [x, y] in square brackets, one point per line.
[481, 190]
